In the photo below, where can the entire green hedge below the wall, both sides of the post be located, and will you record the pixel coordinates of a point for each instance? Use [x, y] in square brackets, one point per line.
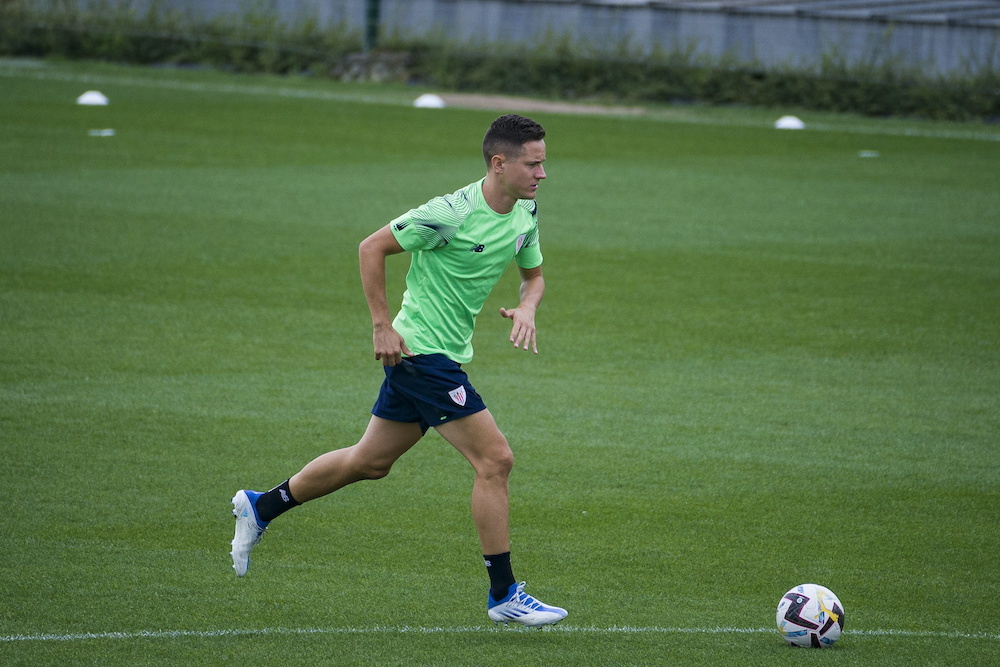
[255, 41]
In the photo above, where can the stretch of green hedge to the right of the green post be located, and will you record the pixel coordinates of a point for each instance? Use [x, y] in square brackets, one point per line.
[562, 71]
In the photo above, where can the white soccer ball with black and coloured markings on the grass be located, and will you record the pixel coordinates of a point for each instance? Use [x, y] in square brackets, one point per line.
[810, 615]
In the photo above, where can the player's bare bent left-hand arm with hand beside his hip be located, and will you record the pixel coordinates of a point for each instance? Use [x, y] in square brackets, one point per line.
[389, 345]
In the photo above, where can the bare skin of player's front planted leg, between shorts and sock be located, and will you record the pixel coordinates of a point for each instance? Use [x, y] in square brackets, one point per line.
[481, 442]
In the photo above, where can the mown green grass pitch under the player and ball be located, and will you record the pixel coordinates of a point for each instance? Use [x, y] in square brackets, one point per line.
[765, 360]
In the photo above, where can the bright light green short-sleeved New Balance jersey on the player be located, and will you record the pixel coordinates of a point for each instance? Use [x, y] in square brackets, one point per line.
[460, 248]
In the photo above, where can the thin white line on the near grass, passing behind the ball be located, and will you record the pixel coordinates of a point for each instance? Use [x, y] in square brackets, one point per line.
[407, 629]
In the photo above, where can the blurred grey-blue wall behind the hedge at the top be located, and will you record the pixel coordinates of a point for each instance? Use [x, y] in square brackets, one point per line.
[939, 36]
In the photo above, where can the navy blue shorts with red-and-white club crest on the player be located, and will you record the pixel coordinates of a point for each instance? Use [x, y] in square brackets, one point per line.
[429, 389]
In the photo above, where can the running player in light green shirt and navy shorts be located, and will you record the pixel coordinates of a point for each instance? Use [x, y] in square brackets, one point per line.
[460, 245]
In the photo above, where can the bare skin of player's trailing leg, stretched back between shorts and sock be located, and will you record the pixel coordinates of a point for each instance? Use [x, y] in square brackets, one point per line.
[371, 458]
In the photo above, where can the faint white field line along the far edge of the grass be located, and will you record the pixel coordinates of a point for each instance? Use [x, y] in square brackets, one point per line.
[43, 73]
